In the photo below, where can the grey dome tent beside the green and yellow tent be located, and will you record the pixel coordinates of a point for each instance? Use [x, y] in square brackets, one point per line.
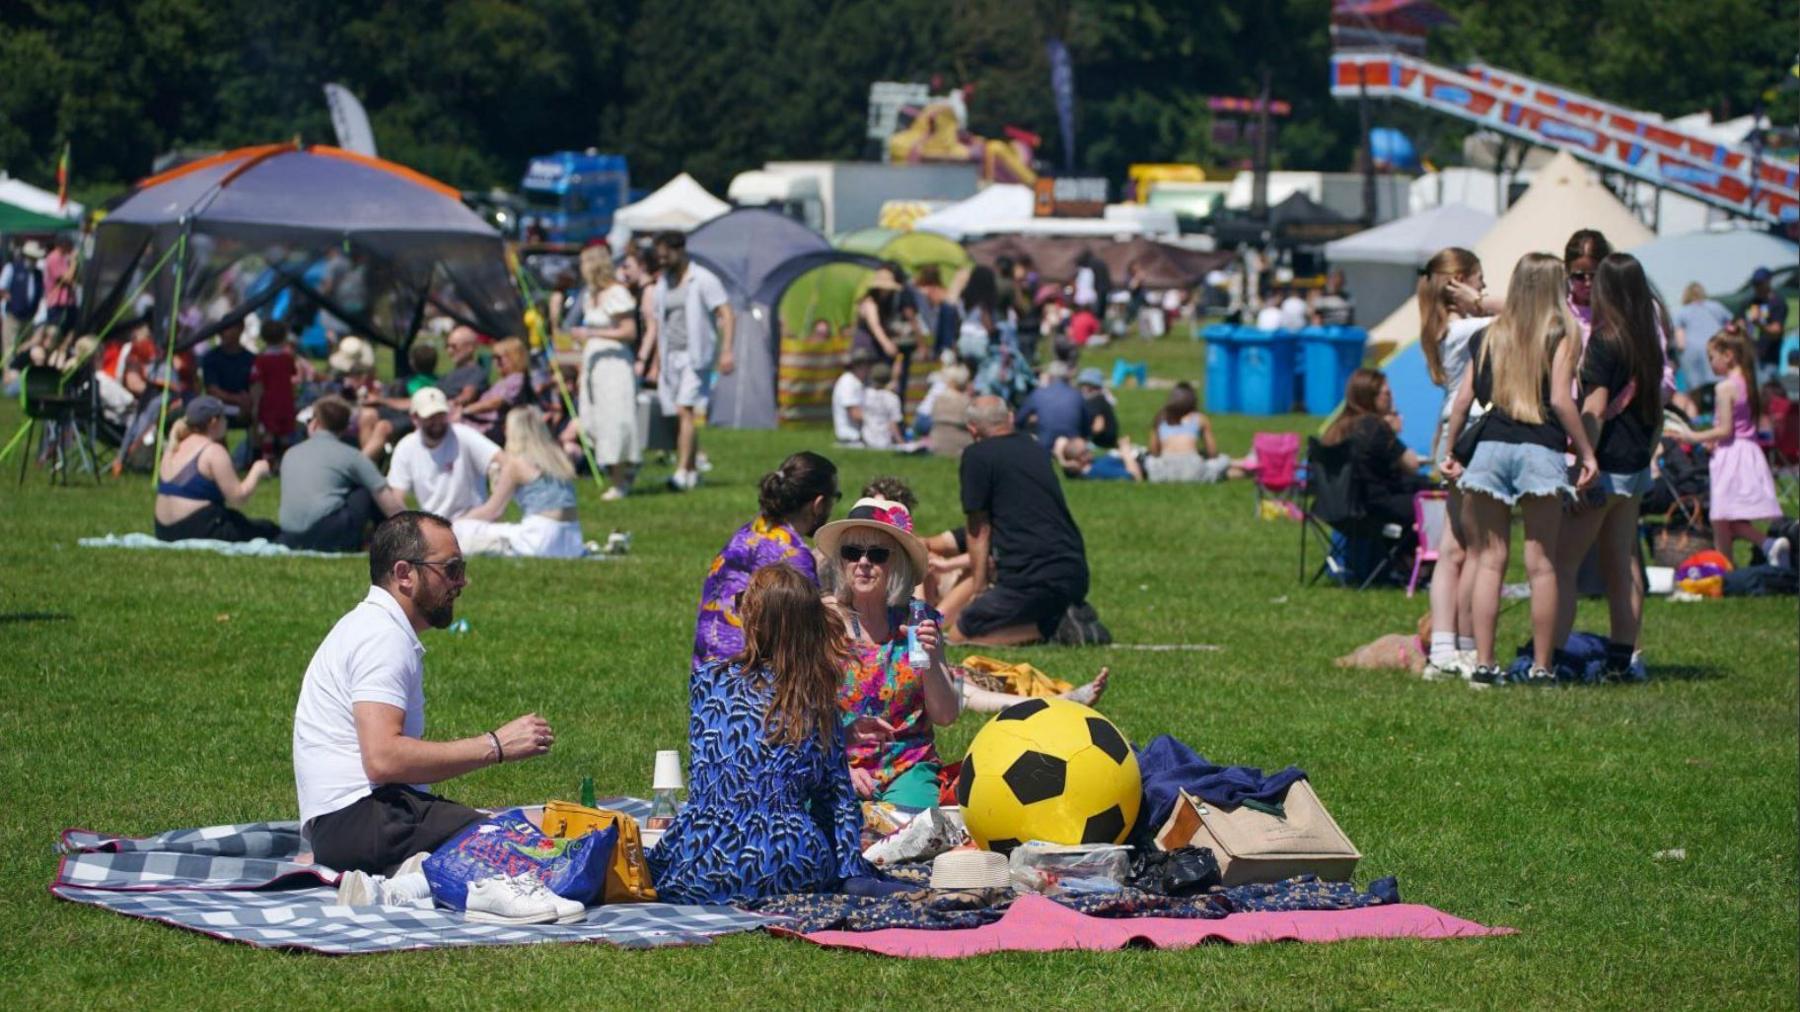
[759, 255]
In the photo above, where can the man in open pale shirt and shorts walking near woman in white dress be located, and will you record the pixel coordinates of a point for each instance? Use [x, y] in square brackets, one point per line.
[688, 302]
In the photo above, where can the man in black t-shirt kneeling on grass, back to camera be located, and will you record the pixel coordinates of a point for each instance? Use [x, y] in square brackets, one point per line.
[1014, 505]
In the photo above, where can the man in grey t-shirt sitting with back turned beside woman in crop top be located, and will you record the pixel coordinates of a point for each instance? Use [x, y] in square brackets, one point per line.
[328, 489]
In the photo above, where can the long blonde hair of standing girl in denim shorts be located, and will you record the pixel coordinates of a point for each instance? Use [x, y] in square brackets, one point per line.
[1524, 339]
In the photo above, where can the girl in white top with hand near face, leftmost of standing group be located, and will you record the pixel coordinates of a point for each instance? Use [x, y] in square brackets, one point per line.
[1444, 339]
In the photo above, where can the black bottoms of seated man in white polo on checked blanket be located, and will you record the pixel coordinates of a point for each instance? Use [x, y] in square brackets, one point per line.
[381, 831]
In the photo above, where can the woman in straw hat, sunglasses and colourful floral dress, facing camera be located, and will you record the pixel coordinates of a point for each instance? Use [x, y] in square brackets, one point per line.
[895, 685]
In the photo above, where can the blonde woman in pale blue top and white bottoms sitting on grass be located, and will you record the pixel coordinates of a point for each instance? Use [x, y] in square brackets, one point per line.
[539, 476]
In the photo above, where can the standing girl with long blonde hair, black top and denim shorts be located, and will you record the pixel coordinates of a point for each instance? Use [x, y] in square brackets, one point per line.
[1522, 368]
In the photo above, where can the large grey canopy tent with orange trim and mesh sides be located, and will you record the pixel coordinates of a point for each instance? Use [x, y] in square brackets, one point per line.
[289, 231]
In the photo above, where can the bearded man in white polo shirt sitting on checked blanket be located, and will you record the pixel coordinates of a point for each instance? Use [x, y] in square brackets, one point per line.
[361, 759]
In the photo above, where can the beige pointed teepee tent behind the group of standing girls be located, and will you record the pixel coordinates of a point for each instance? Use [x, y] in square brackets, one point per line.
[1563, 197]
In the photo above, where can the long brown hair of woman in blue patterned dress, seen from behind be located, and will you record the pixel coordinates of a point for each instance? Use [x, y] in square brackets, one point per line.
[796, 646]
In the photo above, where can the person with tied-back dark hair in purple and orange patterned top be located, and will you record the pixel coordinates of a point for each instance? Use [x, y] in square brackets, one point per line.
[795, 501]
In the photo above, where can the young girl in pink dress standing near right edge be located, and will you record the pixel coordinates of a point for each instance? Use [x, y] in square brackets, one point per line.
[1743, 489]
